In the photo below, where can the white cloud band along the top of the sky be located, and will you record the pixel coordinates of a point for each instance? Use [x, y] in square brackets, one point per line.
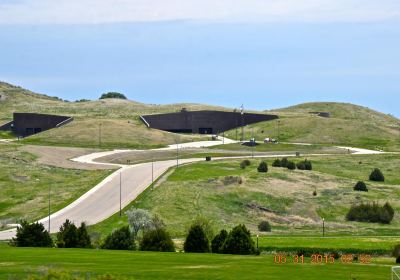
[108, 11]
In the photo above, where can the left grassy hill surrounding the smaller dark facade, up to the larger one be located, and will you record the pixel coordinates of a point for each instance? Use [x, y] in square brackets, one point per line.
[119, 120]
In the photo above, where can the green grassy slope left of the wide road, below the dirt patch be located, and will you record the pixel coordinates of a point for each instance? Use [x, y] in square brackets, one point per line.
[24, 185]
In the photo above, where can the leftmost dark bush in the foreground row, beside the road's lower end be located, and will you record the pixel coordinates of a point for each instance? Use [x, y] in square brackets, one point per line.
[32, 235]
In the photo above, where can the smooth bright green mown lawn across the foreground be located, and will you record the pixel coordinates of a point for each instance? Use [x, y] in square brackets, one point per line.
[16, 263]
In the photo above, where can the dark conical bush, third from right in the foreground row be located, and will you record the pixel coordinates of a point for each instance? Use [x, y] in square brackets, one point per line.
[196, 241]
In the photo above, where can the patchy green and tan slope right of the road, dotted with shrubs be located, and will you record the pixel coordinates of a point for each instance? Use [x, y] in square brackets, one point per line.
[282, 197]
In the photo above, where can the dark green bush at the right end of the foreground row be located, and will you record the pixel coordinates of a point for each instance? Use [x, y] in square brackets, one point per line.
[239, 242]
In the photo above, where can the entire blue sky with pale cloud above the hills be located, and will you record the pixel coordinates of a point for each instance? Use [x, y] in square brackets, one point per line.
[261, 53]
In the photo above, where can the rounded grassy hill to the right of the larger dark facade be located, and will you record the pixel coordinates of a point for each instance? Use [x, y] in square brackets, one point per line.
[349, 125]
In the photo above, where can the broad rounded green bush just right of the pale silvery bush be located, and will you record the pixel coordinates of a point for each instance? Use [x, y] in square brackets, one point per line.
[157, 240]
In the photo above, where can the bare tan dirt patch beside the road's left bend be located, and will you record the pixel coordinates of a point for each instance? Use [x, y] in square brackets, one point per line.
[60, 157]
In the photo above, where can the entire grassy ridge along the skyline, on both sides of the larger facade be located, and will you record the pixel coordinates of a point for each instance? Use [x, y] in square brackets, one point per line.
[121, 127]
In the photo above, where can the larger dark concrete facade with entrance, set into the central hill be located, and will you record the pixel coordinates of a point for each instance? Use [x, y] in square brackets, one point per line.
[203, 122]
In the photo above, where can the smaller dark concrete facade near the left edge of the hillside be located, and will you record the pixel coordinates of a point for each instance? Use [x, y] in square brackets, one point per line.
[25, 124]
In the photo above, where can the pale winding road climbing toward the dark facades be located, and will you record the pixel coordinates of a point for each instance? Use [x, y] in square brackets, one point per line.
[125, 185]
